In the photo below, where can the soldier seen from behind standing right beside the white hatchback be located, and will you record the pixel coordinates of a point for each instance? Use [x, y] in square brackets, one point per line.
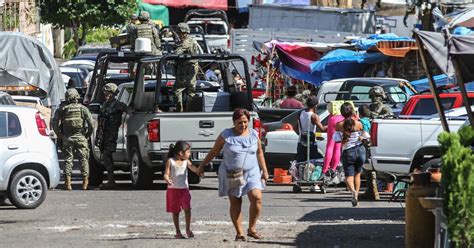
[73, 125]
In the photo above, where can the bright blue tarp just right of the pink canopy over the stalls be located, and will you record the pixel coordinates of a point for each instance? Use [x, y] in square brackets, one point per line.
[342, 63]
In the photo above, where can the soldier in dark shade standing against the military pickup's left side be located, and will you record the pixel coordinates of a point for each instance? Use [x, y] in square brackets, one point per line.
[110, 117]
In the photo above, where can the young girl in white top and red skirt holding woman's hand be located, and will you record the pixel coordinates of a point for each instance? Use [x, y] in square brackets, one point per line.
[177, 194]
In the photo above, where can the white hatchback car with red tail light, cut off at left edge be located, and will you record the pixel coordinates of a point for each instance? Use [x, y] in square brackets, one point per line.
[28, 159]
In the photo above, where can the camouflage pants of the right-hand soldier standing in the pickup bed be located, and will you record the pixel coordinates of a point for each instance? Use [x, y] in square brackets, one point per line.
[185, 80]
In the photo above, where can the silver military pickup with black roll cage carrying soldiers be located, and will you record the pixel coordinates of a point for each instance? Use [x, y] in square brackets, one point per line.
[150, 125]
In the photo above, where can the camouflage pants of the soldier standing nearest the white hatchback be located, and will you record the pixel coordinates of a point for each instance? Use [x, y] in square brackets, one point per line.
[81, 147]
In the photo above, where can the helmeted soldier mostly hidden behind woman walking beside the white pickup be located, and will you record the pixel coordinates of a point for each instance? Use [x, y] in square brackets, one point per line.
[379, 110]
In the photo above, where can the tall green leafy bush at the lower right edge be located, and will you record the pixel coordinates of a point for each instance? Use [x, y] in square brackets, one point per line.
[458, 179]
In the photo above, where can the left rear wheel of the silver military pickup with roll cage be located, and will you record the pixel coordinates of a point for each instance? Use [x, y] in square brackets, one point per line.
[141, 175]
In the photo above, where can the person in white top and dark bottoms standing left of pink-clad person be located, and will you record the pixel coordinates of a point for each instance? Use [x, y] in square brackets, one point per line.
[308, 122]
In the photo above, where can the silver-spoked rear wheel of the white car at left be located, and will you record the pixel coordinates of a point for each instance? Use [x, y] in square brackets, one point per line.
[27, 189]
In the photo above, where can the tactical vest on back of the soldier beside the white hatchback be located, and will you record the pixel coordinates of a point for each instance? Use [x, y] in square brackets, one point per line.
[73, 121]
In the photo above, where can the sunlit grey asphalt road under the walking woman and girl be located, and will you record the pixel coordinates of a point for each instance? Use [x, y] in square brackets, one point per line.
[127, 218]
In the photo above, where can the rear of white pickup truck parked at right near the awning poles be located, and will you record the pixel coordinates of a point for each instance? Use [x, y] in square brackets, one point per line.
[401, 145]
